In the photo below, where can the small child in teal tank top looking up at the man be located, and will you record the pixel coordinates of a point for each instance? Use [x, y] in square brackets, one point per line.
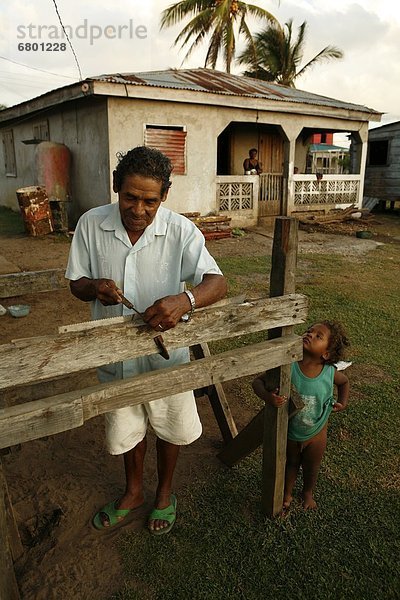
[313, 379]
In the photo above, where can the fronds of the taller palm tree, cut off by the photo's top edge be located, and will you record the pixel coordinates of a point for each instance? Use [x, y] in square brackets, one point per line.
[220, 19]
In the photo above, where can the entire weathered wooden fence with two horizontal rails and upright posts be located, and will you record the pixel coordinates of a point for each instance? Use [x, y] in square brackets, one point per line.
[27, 362]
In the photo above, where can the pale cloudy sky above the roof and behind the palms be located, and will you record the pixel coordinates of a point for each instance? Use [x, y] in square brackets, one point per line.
[124, 36]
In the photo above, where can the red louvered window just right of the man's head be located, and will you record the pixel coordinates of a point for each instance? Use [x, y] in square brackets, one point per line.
[171, 141]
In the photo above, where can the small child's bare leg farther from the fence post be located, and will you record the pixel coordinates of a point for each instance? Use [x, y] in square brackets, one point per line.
[311, 461]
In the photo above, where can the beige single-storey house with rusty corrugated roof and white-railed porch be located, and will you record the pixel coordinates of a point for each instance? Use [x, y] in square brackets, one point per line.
[206, 121]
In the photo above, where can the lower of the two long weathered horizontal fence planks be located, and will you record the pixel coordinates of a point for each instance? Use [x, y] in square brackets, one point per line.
[66, 411]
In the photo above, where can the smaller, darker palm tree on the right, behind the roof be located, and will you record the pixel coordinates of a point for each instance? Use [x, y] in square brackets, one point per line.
[273, 56]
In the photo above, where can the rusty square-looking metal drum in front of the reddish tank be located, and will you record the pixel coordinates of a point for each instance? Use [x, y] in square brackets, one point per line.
[35, 209]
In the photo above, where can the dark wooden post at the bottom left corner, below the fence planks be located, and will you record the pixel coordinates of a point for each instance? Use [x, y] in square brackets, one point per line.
[8, 583]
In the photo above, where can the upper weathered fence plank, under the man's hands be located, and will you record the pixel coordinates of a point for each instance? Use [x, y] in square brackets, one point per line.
[42, 358]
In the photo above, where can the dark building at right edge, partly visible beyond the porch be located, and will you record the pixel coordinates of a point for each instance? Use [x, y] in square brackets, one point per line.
[382, 174]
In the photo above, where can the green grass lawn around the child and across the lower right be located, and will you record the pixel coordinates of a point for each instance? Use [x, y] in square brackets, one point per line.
[222, 547]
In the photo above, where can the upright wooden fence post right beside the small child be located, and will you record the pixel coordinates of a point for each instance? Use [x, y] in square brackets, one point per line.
[283, 269]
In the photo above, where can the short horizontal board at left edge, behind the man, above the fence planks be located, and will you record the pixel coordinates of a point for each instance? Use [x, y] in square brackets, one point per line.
[29, 282]
